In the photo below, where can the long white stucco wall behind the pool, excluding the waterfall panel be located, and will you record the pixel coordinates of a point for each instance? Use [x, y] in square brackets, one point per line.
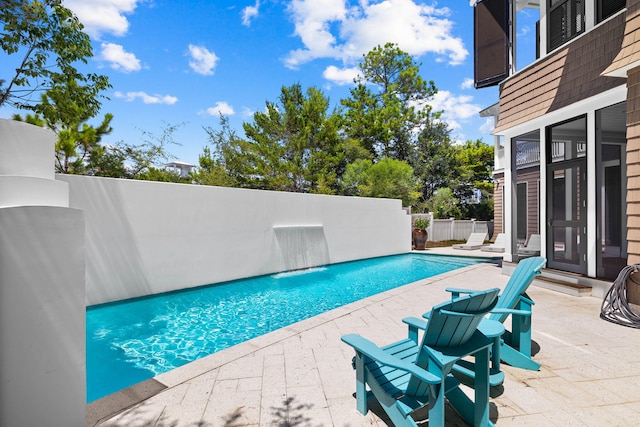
[149, 237]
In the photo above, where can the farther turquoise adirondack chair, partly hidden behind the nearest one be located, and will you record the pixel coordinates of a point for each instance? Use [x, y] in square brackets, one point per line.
[514, 348]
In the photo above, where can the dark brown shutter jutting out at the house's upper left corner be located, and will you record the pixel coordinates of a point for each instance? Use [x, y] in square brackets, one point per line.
[491, 42]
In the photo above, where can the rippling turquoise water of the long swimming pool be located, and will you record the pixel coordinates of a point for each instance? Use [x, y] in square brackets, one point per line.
[134, 340]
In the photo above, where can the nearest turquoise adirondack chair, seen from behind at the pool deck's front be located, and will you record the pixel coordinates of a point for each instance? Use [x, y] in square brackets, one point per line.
[405, 376]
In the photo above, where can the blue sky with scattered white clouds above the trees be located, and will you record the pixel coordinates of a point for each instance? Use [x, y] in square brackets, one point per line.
[182, 62]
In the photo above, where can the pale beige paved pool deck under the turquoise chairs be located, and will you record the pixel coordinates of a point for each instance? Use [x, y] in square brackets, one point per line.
[302, 375]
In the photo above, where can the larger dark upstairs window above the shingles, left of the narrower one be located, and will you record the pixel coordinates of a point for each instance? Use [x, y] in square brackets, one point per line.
[566, 20]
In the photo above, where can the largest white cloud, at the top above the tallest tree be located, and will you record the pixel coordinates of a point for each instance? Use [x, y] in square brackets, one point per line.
[331, 30]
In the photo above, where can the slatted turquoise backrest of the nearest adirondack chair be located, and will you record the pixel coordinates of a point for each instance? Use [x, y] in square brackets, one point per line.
[452, 323]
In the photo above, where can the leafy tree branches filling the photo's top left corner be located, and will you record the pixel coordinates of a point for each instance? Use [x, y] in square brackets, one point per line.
[43, 41]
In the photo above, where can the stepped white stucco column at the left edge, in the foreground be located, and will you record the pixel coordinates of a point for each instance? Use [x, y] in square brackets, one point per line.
[42, 286]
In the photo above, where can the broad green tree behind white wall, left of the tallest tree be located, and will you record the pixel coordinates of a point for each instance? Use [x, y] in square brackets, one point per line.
[295, 145]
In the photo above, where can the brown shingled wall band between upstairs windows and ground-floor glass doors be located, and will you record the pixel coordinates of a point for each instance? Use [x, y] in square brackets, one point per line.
[567, 76]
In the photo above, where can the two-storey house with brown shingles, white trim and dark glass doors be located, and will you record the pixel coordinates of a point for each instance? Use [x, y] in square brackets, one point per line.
[568, 160]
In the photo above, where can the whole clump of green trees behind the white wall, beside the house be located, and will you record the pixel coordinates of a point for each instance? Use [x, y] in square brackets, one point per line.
[384, 141]
